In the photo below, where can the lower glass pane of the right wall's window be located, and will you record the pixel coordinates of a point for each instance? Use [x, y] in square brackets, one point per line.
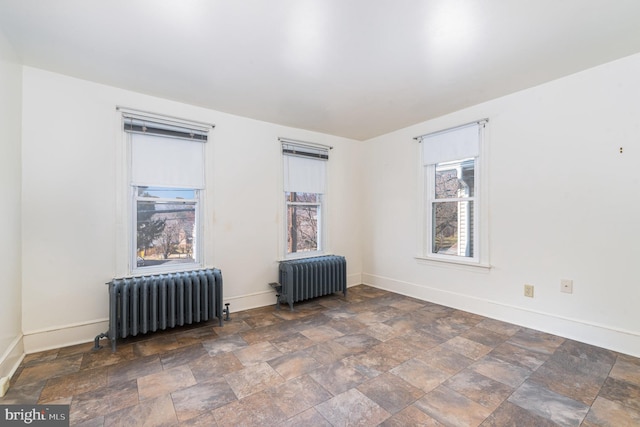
[453, 228]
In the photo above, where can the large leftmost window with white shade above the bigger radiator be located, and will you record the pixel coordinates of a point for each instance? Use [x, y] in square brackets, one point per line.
[167, 183]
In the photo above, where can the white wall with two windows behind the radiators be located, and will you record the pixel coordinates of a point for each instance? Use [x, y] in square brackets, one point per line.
[72, 195]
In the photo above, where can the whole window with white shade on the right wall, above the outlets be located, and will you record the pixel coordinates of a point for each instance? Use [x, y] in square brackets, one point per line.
[453, 221]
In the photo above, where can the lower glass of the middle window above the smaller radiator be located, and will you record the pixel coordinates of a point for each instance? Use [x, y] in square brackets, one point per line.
[302, 232]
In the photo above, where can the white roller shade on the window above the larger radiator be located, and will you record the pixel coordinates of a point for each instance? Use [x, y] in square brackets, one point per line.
[166, 162]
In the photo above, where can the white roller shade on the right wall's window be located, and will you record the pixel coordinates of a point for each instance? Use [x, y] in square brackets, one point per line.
[452, 144]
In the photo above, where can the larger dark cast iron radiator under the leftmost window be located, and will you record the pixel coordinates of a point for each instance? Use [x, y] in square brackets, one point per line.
[139, 305]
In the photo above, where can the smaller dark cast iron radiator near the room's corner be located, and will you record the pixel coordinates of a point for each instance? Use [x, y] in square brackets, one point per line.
[307, 278]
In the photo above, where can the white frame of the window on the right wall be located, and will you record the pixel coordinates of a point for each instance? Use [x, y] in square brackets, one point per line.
[480, 199]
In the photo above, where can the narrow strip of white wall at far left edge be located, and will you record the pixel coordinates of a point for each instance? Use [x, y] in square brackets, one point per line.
[10, 175]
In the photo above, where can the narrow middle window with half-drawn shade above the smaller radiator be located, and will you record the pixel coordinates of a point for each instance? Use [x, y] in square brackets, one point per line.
[304, 192]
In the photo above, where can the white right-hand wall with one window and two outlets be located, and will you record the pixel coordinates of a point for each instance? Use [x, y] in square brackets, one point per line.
[562, 201]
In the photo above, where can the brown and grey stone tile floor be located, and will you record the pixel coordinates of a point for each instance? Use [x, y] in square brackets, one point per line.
[374, 358]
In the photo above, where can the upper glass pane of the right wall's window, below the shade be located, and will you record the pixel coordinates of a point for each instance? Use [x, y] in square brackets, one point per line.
[455, 179]
